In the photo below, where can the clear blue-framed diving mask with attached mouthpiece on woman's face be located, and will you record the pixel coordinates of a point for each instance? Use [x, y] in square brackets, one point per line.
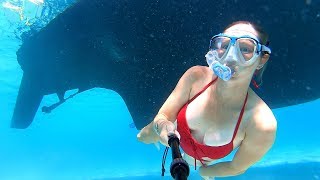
[228, 52]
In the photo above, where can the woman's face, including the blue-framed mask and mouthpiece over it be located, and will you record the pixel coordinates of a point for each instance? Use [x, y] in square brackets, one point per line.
[235, 52]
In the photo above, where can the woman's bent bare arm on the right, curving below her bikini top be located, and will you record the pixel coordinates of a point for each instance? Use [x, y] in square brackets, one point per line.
[259, 138]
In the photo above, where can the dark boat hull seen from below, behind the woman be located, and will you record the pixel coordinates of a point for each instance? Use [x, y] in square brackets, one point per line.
[141, 48]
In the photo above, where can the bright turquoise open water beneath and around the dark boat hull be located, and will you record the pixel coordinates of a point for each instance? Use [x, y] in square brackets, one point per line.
[91, 137]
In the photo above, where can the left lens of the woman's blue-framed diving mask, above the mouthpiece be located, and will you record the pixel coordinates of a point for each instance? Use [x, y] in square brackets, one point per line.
[220, 45]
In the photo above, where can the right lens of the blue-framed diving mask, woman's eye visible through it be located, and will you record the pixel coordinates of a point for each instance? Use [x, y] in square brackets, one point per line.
[247, 47]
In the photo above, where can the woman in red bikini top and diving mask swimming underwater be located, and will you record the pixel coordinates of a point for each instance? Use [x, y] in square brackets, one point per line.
[213, 109]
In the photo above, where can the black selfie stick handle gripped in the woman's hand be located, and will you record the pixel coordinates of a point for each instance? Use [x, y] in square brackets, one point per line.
[179, 168]
